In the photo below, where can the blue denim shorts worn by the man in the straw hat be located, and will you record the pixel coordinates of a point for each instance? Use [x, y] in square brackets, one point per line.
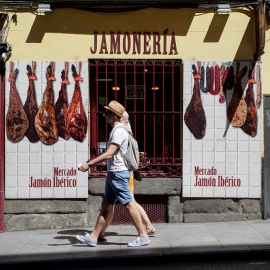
[117, 188]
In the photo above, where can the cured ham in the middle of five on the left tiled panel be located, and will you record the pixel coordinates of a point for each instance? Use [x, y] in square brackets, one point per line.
[45, 120]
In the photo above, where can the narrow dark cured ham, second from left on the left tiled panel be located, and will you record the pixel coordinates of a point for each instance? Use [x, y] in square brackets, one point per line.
[30, 105]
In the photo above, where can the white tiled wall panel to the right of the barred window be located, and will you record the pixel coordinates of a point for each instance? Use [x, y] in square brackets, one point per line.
[236, 155]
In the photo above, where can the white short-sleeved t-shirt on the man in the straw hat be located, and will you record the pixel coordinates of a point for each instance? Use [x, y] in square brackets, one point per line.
[118, 136]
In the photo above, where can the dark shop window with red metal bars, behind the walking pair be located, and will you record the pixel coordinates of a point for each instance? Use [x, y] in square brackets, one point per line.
[150, 90]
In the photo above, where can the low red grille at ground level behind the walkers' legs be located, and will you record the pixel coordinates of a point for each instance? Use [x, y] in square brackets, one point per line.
[155, 207]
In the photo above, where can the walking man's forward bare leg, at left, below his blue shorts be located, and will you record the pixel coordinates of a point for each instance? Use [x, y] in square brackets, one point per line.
[102, 220]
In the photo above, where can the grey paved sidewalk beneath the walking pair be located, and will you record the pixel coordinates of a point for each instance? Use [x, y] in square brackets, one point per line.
[170, 239]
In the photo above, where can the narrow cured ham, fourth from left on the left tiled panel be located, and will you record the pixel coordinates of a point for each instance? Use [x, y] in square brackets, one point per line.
[61, 107]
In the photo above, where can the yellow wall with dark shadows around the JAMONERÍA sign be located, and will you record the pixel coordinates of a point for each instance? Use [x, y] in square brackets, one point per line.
[67, 34]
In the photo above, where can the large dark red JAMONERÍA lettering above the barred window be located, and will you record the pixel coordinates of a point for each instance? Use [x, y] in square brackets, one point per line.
[135, 43]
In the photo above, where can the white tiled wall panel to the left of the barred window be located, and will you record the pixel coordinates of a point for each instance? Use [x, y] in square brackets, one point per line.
[24, 159]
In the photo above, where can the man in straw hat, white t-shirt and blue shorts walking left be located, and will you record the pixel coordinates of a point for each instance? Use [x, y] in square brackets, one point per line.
[116, 187]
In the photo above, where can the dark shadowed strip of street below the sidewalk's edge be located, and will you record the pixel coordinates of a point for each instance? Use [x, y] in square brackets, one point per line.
[228, 261]
